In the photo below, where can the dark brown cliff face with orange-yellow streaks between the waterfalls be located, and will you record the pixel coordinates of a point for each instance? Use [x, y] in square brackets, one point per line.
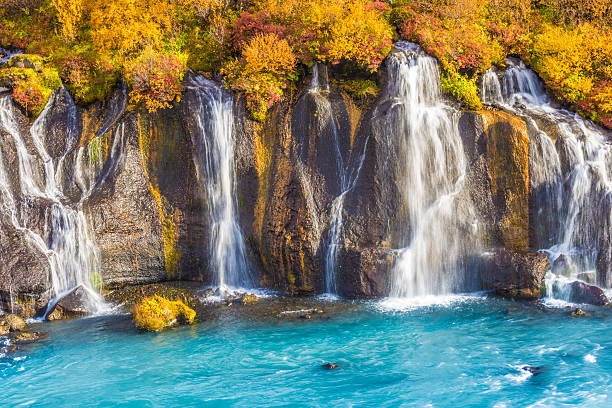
[133, 175]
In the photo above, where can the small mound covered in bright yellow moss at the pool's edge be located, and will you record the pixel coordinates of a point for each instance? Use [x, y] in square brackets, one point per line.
[157, 313]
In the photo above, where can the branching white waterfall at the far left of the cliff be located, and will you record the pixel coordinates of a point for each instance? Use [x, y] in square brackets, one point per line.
[67, 242]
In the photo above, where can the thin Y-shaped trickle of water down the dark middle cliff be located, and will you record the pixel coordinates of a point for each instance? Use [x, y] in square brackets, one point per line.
[347, 177]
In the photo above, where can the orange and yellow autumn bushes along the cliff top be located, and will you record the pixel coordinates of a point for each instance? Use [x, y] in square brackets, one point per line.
[262, 46]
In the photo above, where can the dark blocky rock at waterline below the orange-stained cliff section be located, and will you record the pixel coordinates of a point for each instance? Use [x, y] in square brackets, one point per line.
[514, 274]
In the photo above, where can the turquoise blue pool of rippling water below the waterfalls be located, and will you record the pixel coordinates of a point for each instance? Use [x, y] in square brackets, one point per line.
[465, 351]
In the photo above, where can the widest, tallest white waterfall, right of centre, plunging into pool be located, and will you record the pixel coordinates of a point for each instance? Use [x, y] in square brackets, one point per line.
[431, 174]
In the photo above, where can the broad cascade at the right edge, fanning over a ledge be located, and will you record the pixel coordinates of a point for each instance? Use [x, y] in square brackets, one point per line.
[570, 174]
